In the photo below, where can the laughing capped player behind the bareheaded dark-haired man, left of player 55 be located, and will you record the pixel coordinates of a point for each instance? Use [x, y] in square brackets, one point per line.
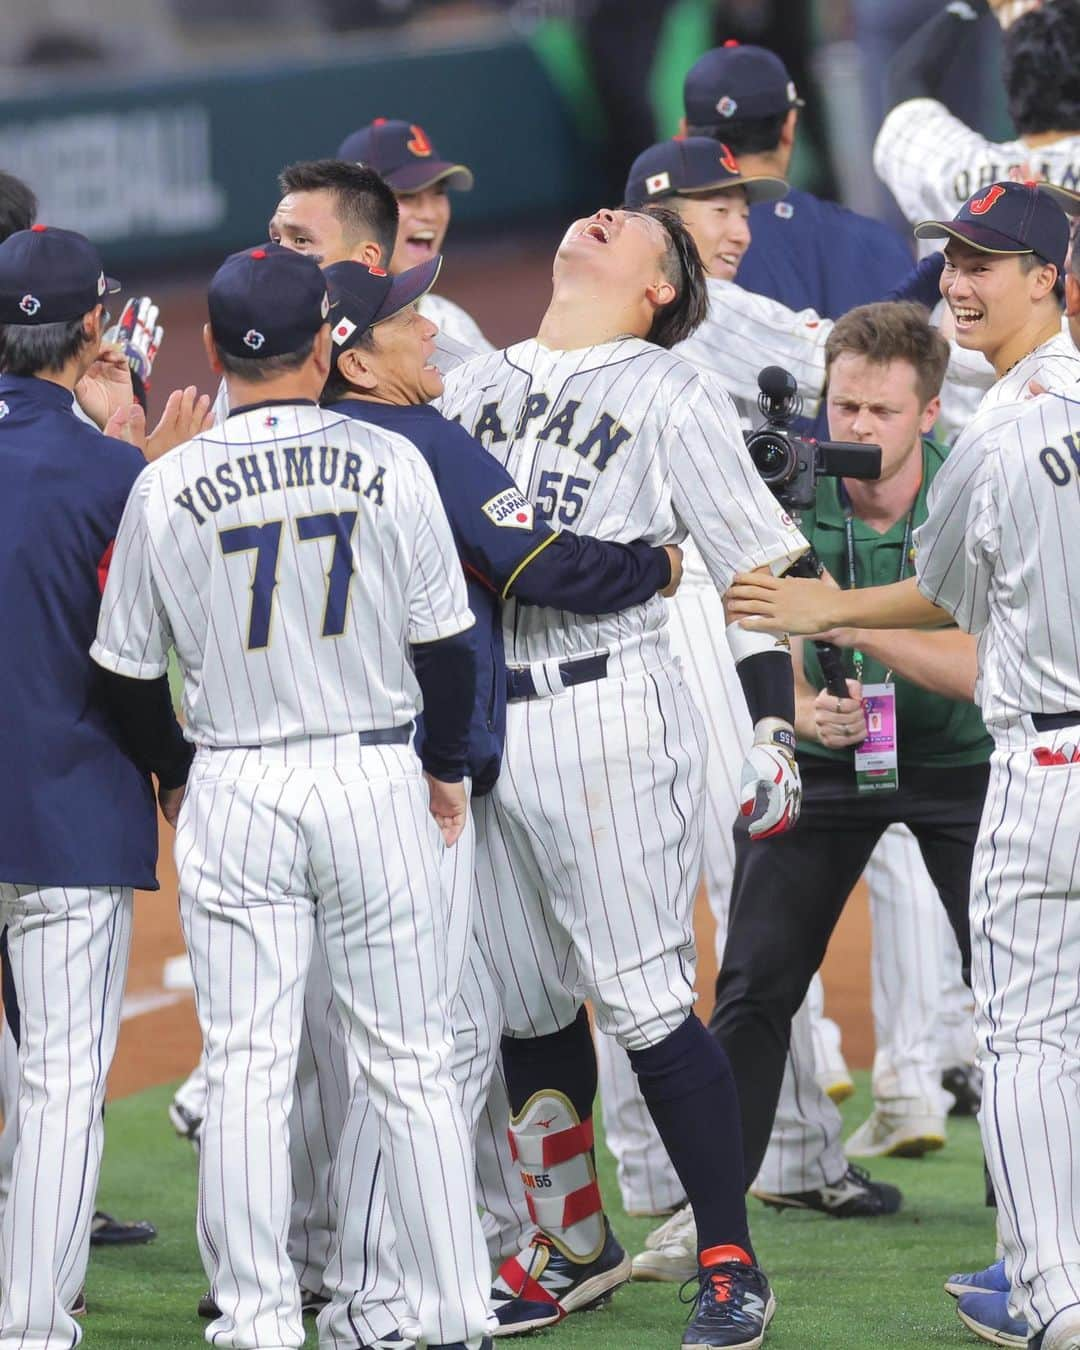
[406, 157]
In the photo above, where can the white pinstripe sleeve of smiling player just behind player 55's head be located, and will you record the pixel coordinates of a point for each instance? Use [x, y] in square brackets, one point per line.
[745, 333]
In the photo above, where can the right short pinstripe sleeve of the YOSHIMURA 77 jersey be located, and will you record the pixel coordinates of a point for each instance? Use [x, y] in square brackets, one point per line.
[437, 597]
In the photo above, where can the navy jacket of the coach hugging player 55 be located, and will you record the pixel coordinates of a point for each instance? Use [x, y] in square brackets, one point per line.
[507, 553]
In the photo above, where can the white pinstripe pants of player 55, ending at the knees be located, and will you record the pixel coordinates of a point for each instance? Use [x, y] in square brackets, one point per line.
[588, 858]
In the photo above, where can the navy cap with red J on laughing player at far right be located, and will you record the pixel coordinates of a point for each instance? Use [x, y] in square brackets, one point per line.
[1008, 218]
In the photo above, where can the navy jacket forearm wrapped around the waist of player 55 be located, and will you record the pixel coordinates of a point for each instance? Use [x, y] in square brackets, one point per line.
[588, 576]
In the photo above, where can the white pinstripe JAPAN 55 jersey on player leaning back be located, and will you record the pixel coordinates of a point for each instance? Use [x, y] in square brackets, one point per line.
[622, 441]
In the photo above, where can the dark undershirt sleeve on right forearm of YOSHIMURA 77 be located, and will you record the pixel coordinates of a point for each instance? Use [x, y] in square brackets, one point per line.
[448, 676]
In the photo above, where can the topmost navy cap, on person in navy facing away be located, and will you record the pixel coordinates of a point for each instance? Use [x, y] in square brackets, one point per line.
[736, 83]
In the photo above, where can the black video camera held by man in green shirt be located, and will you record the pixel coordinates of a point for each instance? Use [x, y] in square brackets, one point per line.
[790, 466]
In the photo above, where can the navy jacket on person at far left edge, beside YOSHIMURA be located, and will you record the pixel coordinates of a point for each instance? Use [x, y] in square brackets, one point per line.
[75, 811]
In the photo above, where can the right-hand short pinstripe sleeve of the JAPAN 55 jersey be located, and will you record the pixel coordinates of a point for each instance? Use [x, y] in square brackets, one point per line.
[731, 515]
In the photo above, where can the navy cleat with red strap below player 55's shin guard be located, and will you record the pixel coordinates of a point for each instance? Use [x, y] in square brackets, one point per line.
[541, 1286]
